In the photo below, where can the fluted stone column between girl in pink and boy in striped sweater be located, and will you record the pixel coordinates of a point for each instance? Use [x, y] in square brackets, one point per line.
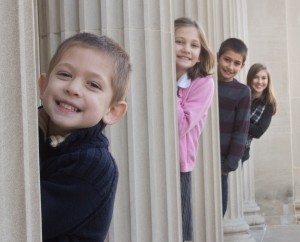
[206, 177]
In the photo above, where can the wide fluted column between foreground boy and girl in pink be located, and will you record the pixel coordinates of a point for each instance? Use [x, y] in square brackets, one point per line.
[153, 166]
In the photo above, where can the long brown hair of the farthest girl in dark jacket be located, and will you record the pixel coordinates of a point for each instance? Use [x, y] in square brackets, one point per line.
[268, 94]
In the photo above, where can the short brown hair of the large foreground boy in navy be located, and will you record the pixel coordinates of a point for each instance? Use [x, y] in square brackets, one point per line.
[118, 57]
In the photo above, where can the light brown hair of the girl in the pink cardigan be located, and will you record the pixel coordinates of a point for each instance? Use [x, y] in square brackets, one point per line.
[206, 57]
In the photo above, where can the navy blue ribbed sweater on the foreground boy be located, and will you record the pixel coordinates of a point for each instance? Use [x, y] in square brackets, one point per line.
[78, 185]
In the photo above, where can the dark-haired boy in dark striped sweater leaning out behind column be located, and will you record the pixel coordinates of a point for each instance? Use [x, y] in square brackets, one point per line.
[234, 108]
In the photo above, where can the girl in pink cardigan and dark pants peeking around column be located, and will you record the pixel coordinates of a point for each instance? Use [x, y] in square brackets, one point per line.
[195, 89]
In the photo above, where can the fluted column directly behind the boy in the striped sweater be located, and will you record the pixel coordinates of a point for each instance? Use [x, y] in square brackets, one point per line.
[234, 24]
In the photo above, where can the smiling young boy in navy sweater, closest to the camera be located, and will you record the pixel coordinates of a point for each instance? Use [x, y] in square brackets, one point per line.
[84, 89]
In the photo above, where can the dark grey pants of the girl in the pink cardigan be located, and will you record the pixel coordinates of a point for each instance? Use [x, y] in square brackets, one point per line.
[186, 205]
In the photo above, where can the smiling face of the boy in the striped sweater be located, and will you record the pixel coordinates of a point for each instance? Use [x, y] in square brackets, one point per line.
[229, 64]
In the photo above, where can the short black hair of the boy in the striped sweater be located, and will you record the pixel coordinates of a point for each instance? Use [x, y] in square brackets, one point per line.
[235, 45]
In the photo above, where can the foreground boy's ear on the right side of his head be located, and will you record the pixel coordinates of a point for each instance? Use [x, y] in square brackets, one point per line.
[115, 113]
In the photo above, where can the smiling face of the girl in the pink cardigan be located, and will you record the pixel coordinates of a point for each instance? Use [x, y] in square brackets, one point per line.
[187, 49]
